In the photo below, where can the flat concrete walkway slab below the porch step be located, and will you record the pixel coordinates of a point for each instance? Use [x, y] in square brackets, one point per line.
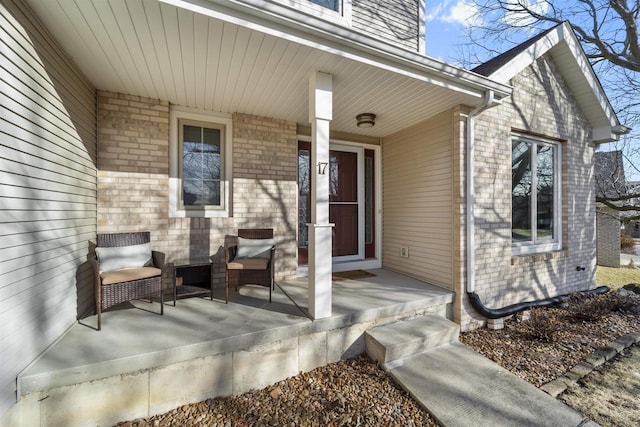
[461, 388]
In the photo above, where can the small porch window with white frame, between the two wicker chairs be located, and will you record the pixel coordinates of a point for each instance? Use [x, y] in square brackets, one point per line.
[199, 164]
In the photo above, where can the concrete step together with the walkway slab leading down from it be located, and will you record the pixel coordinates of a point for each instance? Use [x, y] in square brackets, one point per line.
[460, 387]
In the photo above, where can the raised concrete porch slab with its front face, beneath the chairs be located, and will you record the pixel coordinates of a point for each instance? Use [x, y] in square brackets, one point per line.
[142, 363]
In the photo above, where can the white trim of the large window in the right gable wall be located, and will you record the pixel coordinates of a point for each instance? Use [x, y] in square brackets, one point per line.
[525, 248]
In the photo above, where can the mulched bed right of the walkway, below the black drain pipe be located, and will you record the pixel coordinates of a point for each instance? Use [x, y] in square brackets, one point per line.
[556, 339]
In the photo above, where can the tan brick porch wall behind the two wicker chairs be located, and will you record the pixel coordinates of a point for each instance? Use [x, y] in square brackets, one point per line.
[133, 182]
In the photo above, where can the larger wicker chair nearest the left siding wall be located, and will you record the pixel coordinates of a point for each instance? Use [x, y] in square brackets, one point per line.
[115, 287]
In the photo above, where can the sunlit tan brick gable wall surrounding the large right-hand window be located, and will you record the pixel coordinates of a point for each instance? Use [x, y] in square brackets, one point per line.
[541, 103]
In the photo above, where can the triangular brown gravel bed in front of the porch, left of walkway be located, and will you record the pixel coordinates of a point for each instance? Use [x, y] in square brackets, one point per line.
[354, 392]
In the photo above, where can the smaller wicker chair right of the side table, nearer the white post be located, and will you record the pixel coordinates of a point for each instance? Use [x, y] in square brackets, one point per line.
[250, 270]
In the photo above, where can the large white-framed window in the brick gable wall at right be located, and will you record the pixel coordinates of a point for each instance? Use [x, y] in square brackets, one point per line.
[536, 212]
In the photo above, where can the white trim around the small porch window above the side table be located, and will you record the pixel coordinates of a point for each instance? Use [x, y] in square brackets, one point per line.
[176, 209]
